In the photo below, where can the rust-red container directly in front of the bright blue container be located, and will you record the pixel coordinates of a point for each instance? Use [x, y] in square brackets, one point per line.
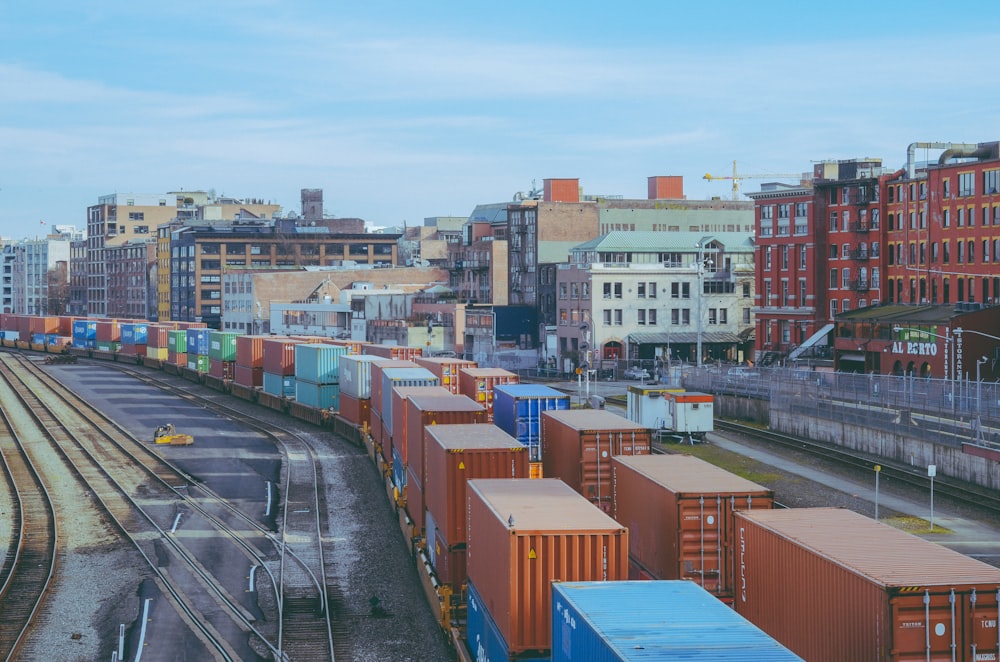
[577, 446]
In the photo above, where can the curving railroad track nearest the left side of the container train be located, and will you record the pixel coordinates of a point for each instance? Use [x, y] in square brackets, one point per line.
[307, 625]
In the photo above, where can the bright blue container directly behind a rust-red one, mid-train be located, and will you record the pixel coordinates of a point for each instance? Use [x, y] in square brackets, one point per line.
[517, 410]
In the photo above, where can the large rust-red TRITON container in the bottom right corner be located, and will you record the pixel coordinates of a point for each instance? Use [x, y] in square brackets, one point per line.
[831, 584]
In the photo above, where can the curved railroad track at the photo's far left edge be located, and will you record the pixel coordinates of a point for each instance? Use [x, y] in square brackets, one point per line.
[29, 566]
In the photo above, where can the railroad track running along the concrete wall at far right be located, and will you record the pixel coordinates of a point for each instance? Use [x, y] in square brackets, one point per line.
[957, 491]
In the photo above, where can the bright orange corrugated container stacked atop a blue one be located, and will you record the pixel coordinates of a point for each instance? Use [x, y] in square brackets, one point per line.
[524, 534]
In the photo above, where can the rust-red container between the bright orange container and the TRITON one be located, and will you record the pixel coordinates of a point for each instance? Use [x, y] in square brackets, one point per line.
[680, 512]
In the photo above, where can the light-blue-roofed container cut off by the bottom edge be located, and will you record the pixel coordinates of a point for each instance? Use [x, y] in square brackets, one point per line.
[659, 620]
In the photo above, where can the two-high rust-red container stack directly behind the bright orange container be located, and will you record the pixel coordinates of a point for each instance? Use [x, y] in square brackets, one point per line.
[453, 455]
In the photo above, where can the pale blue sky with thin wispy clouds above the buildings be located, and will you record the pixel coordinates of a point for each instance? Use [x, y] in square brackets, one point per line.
[401, 111]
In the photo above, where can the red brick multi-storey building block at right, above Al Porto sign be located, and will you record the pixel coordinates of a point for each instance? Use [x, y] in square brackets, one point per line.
[916, 250]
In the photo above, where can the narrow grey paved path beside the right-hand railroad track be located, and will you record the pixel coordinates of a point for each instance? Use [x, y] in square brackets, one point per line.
[969, 537]
